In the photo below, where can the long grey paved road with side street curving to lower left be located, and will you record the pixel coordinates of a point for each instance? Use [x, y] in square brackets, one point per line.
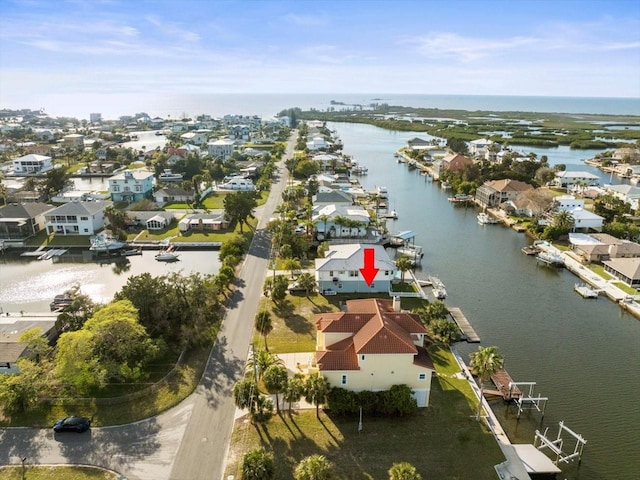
[189, 441]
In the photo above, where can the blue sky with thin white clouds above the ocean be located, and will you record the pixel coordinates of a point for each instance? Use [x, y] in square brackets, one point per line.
[80, 51]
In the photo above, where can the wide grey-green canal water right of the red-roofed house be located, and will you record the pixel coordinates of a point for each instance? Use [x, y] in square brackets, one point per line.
[583, 354]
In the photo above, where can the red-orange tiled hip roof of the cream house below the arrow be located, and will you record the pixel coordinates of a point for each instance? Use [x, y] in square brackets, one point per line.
[375, 328]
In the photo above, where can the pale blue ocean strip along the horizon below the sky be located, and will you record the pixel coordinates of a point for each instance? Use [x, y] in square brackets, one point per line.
[167, 105]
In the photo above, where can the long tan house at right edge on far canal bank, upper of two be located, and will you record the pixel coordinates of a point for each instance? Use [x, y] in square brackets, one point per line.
[598, 247]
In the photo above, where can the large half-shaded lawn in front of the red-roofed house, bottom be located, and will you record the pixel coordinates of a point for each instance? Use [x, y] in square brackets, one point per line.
[443, 441]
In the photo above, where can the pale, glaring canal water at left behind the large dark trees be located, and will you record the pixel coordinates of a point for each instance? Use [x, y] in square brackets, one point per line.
[30, 285]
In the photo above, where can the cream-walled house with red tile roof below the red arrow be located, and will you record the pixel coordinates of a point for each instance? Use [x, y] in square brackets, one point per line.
[373, 346]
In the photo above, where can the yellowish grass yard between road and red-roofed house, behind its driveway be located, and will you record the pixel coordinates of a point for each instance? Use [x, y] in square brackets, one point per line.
[294, 329]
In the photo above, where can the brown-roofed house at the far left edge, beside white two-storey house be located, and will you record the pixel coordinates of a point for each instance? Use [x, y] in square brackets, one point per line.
[19, 221]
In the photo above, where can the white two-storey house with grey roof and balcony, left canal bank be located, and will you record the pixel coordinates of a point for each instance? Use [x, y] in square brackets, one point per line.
[76, 218]
